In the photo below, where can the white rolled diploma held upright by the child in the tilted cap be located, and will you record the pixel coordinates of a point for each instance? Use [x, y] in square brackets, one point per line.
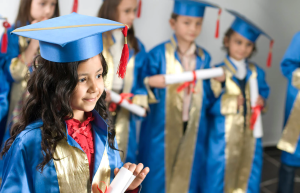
[258, 128]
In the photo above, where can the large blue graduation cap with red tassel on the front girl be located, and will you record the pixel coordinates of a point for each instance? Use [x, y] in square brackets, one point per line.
[73, 37]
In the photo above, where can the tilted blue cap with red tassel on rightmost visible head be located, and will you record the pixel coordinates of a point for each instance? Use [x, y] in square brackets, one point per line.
[250, 31]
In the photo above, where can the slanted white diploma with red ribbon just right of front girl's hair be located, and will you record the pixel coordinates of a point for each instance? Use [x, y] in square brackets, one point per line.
[126, 105]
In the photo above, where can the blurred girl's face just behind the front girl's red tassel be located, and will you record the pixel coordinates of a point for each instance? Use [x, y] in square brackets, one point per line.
[127, 11]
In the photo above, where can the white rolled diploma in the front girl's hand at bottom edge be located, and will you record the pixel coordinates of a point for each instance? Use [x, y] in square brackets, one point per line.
[120, 181]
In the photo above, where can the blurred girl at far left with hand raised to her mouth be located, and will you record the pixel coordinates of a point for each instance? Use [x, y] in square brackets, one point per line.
[21, 51]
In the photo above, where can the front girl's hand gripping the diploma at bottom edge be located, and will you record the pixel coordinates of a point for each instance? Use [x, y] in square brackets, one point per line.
[138, 171]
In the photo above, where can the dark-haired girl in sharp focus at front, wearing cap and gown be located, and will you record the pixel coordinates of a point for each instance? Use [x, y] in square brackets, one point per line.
[62, 142]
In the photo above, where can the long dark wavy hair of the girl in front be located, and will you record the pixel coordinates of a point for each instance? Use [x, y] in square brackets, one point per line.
[50, 86]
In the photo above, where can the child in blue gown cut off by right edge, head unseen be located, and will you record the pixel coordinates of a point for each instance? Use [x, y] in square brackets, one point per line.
[289, 143]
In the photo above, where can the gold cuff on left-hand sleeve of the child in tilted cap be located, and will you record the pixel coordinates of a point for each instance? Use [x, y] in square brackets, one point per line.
[229, 104]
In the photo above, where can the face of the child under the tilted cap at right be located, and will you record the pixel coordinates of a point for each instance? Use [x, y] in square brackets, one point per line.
[239, 47]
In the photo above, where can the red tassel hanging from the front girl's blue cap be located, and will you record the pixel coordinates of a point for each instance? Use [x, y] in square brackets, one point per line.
[125, 55]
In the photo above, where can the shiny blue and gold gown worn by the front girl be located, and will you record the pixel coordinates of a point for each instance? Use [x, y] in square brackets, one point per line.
[70, 173]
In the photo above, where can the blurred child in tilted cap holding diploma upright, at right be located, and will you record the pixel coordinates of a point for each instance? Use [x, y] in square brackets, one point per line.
[234, 160]
